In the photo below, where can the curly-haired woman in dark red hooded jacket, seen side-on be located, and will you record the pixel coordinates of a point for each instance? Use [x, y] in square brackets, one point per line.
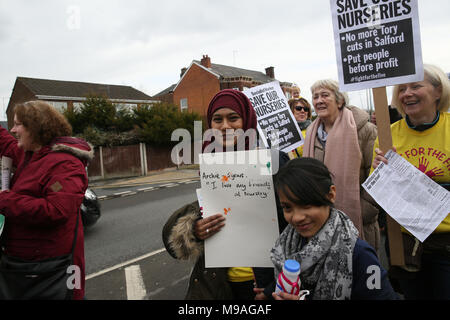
[46, 191]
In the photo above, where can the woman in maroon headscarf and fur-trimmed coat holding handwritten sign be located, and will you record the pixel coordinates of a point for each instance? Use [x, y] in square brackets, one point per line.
[185, 231]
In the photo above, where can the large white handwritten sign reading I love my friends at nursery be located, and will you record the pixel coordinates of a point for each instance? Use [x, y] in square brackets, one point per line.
[244, 194]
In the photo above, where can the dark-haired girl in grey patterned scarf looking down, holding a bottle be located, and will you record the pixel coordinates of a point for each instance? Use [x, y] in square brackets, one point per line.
[335, 264]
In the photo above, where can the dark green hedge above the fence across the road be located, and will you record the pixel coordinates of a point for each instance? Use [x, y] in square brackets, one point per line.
[103, 124]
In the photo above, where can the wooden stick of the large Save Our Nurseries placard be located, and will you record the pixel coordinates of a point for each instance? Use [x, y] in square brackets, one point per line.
[397, 257]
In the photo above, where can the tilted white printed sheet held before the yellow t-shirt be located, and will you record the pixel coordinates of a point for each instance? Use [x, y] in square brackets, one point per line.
[408, 195]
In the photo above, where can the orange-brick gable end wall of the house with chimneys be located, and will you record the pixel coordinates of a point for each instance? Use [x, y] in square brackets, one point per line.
[199, 87]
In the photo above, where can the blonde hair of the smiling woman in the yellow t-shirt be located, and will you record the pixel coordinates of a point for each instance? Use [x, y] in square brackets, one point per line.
[438, 79]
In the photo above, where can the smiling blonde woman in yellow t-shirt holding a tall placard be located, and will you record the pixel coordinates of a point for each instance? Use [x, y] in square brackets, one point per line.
[423, 139]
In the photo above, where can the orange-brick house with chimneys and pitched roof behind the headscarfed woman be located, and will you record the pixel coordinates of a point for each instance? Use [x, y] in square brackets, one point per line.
[202, 80]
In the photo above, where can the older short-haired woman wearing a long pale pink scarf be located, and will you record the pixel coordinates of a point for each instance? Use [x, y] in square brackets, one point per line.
[342, 138]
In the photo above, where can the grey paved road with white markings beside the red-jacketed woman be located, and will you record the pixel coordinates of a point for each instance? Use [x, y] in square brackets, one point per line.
[130, 228]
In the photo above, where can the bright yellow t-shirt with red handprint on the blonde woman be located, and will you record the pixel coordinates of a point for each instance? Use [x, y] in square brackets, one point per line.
[428, 150]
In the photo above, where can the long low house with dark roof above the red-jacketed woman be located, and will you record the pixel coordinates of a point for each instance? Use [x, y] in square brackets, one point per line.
[70, 94]
